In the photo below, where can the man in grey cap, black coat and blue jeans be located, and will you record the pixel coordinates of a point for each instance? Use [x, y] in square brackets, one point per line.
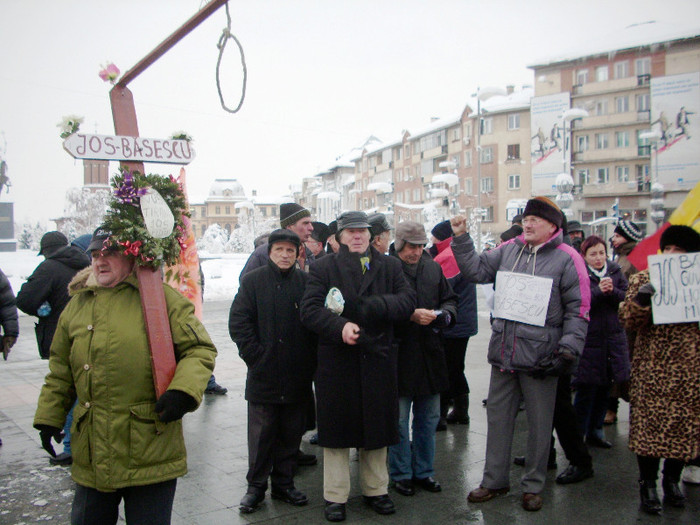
[422, 365]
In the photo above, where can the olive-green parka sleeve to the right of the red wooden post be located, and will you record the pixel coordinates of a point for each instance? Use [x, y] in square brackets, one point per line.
[195, 352]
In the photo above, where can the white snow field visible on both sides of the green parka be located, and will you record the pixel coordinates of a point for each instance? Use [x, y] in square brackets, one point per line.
[221, 272]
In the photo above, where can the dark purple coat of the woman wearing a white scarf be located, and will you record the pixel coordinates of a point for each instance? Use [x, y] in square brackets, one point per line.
[605, 358]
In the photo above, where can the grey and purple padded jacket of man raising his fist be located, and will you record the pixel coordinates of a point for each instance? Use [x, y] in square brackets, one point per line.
[519, 346]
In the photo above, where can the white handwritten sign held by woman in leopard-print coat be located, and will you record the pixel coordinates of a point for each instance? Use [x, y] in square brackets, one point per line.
[676, 279]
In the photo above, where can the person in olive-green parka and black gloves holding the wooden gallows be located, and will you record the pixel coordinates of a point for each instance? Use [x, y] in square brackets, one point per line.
[126, 444]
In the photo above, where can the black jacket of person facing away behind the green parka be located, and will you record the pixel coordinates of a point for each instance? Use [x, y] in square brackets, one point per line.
[49, 282]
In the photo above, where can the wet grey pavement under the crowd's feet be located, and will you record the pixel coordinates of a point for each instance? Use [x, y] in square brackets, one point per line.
[33, 491]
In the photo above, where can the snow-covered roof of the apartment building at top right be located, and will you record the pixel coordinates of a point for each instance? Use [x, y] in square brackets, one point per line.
[651, 33]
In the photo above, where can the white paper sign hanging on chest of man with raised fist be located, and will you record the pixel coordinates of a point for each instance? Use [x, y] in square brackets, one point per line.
[521, 297]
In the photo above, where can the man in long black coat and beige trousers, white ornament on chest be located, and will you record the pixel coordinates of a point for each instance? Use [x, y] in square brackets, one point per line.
[352, 301]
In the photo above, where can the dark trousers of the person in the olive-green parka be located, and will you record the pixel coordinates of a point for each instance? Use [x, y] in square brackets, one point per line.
[152, 504]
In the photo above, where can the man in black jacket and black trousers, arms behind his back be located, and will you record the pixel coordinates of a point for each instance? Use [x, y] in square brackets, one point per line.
[280, 355]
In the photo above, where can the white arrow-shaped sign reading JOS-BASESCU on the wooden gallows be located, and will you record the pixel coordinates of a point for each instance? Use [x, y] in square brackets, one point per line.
[134, 149]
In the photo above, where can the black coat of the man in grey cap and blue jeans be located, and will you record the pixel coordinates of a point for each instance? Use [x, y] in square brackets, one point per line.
[422, 365]
